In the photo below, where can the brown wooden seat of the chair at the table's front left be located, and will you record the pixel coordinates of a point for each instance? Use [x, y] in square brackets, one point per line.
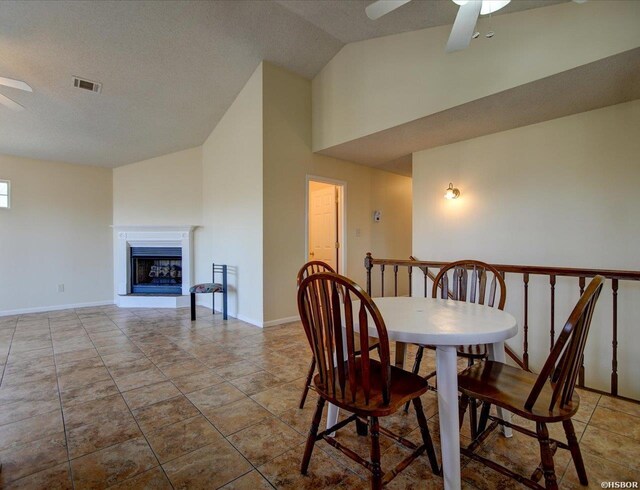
[405, 386]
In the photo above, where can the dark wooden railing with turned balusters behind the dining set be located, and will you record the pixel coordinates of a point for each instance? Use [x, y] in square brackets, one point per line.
[525, 271]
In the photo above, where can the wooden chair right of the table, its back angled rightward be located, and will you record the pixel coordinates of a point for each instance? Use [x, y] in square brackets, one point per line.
[548, 397]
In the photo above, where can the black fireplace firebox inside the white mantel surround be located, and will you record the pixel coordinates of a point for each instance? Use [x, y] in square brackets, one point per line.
[156, 270]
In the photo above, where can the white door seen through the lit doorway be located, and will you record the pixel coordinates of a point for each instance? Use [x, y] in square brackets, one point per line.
[323, 223]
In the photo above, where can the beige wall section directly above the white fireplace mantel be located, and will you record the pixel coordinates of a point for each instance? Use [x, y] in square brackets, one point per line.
[166, 190]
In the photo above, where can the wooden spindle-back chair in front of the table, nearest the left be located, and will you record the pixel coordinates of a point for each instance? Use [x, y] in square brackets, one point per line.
[366, 388]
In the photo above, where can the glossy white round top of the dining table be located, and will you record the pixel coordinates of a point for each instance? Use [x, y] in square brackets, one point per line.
[443, 322]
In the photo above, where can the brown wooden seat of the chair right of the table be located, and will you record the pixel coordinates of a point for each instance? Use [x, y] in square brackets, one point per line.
[509, 387]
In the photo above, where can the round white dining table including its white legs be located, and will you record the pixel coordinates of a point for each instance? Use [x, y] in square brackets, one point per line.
[444, 324]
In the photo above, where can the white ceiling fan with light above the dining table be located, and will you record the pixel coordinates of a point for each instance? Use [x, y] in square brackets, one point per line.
[463, 29]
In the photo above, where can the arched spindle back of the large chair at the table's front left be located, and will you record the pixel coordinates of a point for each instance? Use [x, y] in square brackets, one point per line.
[329, 306]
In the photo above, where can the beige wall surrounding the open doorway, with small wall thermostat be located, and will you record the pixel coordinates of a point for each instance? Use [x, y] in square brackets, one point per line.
[287, 163]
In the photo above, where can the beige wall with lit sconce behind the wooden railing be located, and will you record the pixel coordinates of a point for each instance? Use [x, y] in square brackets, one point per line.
[559, 193]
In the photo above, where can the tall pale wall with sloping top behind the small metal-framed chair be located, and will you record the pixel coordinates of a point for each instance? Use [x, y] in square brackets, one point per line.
[233, 202]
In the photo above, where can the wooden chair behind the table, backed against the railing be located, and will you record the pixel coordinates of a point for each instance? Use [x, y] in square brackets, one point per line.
[469, 281]
